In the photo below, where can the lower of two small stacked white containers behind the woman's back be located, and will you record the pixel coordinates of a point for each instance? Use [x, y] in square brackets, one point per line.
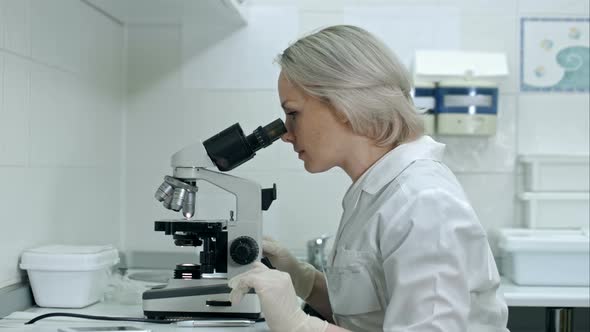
[556, 210]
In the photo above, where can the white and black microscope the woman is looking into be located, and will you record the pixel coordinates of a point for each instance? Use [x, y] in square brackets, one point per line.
[227, 247]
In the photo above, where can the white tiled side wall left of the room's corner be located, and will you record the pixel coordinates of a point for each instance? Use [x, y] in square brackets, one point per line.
[61, 106]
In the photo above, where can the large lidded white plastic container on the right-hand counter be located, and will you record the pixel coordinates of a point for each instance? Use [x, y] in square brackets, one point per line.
[545, 257]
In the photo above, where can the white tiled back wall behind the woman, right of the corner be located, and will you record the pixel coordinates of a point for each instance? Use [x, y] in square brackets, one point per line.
[165, 114]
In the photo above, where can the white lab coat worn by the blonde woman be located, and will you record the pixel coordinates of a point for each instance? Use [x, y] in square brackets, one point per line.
[410, 254]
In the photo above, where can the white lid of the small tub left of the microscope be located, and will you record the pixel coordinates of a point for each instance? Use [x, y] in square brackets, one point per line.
[69, 258]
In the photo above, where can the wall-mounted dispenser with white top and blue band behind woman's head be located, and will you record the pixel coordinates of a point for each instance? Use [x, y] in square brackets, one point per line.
[466, 92]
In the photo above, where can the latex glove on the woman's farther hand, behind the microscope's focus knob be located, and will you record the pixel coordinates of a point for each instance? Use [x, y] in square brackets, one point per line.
[302, 274]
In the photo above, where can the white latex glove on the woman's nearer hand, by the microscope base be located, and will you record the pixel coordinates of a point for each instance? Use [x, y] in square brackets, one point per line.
[277, 299]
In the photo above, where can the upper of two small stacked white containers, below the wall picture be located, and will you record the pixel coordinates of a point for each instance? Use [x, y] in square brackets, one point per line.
[556, 173]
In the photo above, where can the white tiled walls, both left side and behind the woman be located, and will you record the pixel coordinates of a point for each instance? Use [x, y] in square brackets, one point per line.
[81, 153]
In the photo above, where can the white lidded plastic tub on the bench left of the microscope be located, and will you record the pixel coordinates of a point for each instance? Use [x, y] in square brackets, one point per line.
[64, 276]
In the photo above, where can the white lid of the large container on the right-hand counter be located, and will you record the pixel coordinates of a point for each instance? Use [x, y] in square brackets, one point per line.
[544, 240]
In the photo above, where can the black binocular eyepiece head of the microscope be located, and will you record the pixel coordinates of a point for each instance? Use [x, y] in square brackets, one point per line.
[231, 148]
